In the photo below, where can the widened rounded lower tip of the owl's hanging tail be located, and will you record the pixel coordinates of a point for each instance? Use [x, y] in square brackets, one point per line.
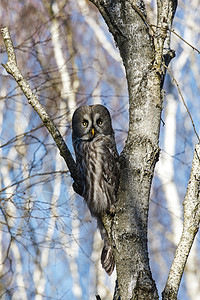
[107, 259]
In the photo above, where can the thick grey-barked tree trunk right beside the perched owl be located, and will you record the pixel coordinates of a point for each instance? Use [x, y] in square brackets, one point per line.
[142, 54]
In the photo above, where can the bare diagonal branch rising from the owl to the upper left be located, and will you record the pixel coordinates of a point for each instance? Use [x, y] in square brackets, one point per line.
[12, 68]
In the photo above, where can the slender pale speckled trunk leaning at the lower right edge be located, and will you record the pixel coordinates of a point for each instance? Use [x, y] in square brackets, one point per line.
[191, 222]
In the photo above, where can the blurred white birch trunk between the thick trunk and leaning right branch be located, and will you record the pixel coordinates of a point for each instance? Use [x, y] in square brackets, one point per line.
[166, 169]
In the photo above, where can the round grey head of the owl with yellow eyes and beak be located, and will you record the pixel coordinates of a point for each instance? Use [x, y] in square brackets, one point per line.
[90, 121]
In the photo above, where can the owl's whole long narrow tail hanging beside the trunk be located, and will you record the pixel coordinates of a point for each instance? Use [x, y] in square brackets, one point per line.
[107, 255]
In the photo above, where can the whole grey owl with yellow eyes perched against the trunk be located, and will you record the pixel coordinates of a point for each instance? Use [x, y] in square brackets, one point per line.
[98, 162]
